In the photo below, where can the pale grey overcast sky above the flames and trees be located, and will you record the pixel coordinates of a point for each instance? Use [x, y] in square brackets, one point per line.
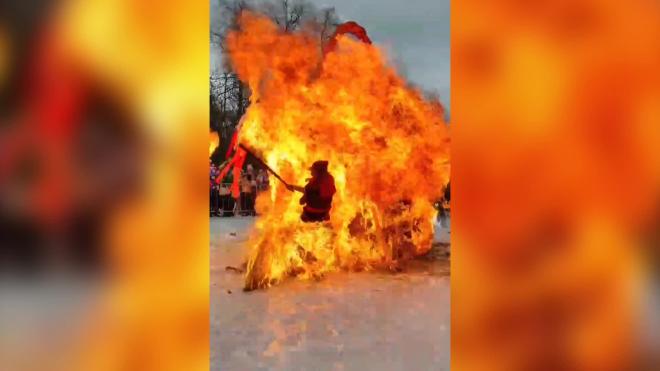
[414, 32]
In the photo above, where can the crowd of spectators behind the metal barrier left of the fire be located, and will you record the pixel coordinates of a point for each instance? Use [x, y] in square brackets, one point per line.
[222, 203]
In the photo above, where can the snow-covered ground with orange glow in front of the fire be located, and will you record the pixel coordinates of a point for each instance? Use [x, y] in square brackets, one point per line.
[348, 321]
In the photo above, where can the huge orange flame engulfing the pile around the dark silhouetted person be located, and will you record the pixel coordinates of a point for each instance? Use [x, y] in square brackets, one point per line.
[384, 142]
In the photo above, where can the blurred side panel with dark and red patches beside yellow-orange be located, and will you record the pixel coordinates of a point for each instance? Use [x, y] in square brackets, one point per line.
[103, 167]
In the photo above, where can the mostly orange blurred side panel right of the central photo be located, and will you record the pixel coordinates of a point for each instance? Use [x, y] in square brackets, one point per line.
[556, 177]
